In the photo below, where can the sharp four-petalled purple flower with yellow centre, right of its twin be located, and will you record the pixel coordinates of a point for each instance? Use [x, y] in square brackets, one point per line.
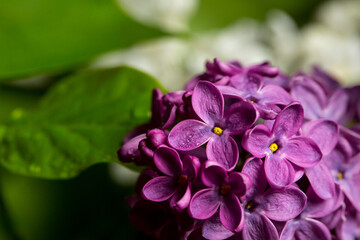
[281, 147]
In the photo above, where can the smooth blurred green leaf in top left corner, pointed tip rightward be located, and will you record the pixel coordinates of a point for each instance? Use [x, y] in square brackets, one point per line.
[41, 36]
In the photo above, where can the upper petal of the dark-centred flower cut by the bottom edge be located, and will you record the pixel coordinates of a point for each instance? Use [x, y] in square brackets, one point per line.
[254, 168]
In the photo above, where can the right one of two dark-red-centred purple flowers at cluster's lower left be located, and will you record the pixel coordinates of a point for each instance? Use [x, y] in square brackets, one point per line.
[222, 193]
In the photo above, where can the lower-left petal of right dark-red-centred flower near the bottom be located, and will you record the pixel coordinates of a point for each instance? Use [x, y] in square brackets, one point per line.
[204, 204]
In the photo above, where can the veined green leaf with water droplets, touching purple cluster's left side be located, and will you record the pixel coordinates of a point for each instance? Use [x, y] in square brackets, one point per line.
[81, 121]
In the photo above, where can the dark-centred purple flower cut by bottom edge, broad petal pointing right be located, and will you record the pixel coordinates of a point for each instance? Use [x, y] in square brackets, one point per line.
[261, 206]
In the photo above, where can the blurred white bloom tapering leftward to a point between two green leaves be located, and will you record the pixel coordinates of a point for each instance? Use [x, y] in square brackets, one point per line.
[162, 58]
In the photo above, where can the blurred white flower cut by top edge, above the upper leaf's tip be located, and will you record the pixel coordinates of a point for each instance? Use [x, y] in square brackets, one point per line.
[168, 15]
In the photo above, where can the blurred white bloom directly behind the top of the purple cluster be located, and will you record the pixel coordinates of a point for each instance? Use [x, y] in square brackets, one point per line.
[240, 41]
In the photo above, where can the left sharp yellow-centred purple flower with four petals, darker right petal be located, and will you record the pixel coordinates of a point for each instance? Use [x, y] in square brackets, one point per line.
[216, 126]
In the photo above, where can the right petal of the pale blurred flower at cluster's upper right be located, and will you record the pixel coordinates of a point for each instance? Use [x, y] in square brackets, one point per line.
[337, 106]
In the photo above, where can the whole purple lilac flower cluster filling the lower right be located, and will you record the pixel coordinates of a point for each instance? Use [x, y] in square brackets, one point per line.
[249, 153]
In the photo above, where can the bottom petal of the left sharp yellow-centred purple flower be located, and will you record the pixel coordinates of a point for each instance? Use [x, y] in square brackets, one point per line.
[223, 150]
